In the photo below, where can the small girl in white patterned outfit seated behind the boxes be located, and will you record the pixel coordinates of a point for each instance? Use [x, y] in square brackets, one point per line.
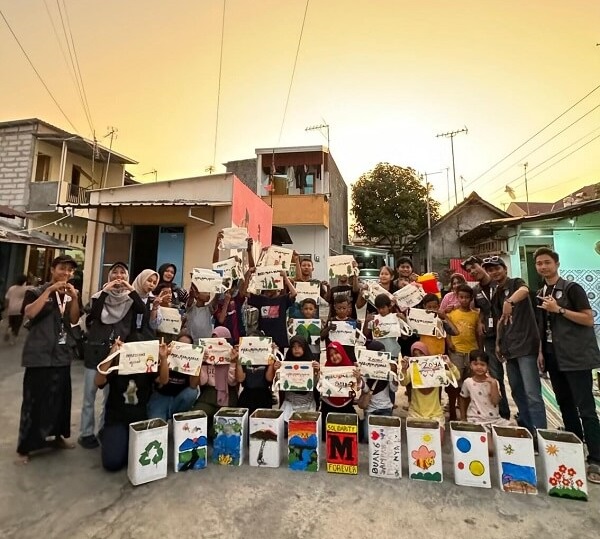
[480, 395]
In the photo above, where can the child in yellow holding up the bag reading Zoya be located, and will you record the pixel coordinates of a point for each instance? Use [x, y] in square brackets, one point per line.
[425, 403]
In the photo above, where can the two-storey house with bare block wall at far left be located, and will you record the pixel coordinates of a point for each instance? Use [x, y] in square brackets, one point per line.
[41, 167]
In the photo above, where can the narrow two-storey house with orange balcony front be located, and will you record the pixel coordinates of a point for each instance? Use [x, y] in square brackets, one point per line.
[307, 193]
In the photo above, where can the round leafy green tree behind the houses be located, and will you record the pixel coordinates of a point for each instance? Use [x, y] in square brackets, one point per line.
[390, 205]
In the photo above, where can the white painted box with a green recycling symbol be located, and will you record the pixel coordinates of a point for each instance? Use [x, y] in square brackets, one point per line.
[147, 457]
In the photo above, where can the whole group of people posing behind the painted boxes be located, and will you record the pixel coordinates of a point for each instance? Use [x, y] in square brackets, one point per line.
[491, 326]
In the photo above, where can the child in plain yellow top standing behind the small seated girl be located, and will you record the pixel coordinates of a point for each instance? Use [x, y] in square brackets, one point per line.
[466, 322]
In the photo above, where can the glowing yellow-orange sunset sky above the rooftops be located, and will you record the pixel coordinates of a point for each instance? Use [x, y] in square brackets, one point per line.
[386, 76]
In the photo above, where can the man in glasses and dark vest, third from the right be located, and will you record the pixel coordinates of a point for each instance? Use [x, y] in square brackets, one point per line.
[483, 293]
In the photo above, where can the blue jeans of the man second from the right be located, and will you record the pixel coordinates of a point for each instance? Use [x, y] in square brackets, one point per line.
[526, 388]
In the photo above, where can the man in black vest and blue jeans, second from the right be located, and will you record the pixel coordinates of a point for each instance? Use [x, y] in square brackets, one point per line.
[517, 343]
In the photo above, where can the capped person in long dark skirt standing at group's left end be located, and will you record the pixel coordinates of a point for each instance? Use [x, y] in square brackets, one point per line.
[46, 410]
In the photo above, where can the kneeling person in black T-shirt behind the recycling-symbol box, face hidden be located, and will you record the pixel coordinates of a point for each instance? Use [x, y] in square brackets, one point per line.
[126, 403]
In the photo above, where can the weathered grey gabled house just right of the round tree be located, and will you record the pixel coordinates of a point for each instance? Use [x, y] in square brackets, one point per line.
[446, 248]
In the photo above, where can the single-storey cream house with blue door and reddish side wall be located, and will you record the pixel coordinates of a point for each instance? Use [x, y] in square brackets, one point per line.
[177, 221]
